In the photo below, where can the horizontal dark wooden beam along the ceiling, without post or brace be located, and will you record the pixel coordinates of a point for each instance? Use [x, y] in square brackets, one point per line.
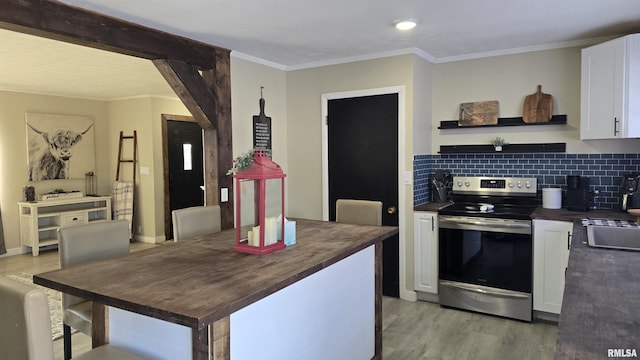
[59, 21]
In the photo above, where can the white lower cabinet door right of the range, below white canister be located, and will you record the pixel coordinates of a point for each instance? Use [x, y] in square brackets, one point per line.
[551, 243]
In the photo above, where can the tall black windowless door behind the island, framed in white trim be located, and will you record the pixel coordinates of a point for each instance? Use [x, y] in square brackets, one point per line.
[363, 164]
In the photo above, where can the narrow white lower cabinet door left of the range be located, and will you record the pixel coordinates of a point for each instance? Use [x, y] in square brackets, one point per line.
[425, 242]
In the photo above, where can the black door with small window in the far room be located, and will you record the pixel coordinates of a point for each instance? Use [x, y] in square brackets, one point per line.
[186, 173]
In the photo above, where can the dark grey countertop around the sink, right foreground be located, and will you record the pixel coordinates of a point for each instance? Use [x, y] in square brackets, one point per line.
[601, 304]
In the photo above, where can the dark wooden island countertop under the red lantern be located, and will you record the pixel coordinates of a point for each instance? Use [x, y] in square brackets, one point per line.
[198, 281]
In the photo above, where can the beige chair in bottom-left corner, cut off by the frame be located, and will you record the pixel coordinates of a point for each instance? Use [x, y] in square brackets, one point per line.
[26, 326]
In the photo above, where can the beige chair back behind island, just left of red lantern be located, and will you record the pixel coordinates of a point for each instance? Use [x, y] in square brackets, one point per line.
[196, 220]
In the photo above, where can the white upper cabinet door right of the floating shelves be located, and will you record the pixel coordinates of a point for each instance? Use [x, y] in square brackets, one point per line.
[601, 107]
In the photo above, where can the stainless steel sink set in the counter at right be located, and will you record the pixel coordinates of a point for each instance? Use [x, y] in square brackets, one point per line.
[626, 238]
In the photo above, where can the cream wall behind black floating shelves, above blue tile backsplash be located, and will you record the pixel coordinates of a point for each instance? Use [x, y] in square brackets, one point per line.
[509, 79]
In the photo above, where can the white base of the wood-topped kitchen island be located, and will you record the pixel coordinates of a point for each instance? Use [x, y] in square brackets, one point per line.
[327, 315]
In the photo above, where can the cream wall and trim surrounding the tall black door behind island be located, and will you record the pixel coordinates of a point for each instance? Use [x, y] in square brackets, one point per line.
[304, 134]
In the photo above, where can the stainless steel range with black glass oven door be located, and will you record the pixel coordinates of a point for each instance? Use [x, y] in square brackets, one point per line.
[485, 246]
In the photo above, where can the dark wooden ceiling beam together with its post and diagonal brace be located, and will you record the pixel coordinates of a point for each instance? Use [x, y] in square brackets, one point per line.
[179, 60]
